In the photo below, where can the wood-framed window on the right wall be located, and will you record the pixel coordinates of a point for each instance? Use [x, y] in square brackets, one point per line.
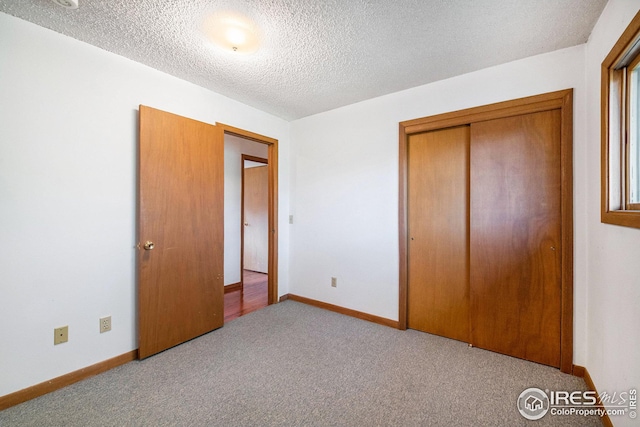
[621, 130]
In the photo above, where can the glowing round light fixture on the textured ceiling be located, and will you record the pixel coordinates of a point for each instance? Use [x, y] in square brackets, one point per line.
[233, 33]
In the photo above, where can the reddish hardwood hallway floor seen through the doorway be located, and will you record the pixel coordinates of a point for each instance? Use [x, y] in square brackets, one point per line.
[253, 297]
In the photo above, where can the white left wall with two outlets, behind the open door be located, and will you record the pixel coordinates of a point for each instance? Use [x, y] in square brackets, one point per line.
[68, 136]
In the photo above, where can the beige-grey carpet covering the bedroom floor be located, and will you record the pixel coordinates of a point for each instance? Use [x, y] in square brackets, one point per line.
[295, 365]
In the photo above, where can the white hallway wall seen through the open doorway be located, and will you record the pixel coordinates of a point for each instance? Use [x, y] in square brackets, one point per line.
[234, 148]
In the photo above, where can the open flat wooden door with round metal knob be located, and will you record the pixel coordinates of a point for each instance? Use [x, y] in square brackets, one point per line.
[180, 280]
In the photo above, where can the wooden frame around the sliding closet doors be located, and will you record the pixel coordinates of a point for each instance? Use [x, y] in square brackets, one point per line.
[562, 100]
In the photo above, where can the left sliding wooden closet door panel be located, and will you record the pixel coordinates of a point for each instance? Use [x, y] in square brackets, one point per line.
[438, 281]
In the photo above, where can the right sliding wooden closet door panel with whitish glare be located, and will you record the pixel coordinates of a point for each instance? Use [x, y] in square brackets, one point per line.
[515, 240]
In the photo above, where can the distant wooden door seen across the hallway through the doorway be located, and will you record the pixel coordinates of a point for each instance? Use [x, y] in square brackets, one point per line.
[256, 219]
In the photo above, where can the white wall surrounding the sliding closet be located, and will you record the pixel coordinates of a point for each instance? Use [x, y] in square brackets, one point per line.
[345, 181]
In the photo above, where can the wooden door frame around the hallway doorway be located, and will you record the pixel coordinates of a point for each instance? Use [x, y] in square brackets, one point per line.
[272, 164]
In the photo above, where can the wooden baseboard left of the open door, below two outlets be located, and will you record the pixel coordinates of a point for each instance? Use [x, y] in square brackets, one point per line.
[54, 384]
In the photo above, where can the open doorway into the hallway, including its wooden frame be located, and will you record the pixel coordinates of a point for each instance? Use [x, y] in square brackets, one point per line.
[251, 231]
